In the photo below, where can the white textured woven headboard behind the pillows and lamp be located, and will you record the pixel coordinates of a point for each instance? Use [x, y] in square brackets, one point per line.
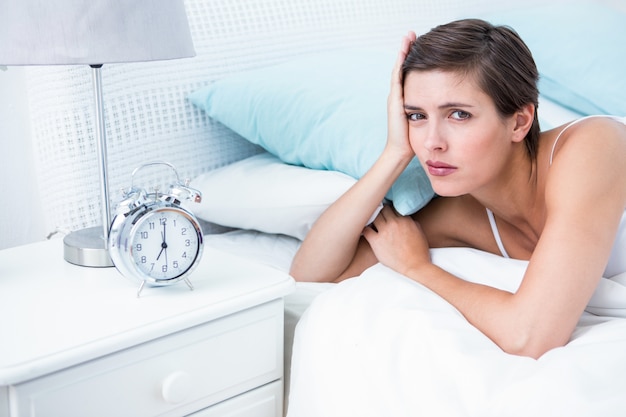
[148, 117]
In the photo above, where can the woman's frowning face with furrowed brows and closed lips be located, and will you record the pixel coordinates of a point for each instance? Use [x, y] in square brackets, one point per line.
[456, 132]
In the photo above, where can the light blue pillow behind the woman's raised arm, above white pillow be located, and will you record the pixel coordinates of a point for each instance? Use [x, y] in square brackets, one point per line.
[324, 111]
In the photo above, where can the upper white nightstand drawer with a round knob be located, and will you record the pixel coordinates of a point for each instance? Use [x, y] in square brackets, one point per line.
[175, 375]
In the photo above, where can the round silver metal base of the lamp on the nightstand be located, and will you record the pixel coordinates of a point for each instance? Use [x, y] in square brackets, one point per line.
[87, 247]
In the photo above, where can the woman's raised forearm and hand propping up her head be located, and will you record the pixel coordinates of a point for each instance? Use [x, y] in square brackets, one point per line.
[333, 249]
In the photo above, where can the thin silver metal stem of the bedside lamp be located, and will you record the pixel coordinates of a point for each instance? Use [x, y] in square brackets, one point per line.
[102, 150]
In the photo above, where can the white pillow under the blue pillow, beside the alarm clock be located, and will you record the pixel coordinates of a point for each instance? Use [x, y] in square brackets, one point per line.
[263, 193]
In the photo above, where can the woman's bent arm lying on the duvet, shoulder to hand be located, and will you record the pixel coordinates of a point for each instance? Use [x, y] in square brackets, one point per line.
[585, 199]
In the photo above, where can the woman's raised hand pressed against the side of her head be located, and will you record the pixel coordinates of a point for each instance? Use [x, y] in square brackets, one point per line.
[397, 125]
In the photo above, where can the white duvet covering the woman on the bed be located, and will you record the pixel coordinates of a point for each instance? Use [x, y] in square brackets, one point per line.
[383, 345]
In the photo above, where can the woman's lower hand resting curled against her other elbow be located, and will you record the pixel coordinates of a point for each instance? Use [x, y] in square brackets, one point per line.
[397, 241]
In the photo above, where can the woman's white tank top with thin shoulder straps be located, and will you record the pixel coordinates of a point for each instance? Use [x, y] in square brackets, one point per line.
[617, 261]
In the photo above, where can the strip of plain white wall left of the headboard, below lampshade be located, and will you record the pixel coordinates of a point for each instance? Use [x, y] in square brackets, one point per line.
[20, 210]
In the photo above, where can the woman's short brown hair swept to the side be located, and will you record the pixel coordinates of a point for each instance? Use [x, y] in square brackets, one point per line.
[496, 56]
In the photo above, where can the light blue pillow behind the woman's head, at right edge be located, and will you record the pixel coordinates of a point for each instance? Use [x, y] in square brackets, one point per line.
[580, 53]
